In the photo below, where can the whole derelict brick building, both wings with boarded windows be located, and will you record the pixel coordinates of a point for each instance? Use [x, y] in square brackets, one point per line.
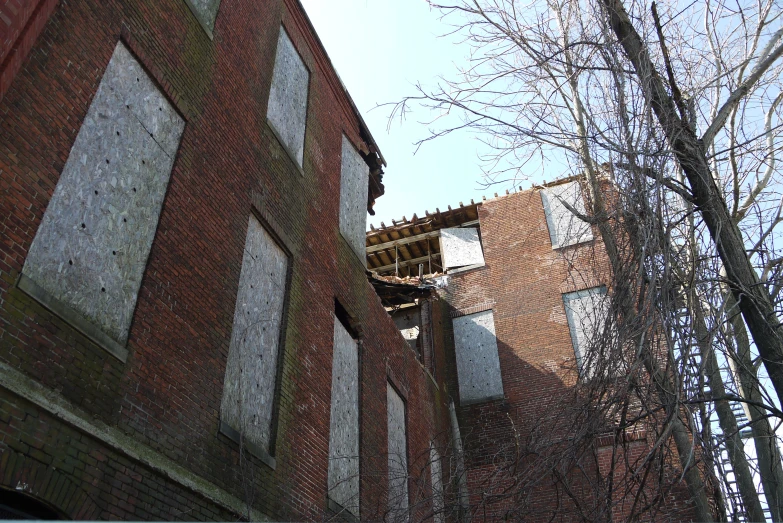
[188, 329]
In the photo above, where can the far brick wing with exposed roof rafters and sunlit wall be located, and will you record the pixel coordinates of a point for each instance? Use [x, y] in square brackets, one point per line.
[521, 292]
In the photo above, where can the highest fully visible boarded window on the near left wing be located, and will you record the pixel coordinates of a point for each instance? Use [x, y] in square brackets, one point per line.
[287, 109]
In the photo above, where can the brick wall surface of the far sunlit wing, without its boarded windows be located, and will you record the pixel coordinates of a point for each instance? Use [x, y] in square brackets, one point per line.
[524, 455]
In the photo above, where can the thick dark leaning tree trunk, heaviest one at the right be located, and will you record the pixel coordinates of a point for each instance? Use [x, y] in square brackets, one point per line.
[754, 302]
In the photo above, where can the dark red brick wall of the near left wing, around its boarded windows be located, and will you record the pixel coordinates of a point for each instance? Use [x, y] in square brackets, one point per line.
[167, 395]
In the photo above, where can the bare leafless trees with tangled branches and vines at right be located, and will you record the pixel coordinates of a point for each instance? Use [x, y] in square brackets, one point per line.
[678, 106]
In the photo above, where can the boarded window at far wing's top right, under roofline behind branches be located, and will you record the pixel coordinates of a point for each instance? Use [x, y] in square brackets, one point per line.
[564, 227]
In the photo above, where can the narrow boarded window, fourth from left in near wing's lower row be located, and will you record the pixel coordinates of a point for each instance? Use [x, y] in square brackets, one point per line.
[398, 456]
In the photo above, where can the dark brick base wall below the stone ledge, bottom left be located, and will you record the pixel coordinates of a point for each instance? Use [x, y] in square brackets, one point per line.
[64, 468]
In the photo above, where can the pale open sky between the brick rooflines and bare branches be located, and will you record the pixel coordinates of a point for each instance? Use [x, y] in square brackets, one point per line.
[380, 49]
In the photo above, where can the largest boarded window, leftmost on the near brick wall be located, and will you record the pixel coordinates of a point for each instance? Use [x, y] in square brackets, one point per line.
[91, 249]
